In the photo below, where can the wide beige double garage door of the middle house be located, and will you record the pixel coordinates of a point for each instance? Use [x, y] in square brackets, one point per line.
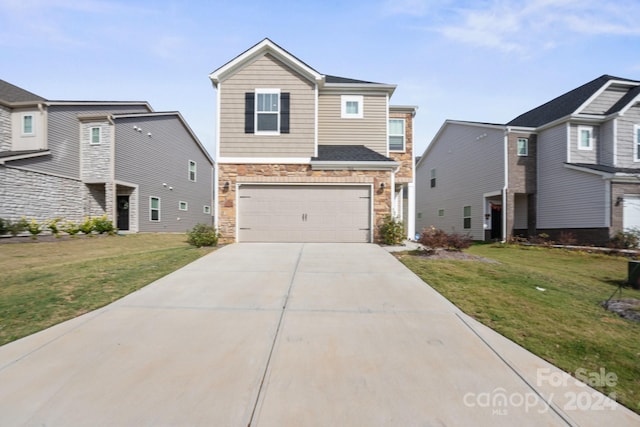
[304, 213]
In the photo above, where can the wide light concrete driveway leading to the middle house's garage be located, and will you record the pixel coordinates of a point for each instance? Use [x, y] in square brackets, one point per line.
[287, 335]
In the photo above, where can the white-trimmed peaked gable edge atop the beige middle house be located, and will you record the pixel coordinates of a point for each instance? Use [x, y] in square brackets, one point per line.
[266, 46]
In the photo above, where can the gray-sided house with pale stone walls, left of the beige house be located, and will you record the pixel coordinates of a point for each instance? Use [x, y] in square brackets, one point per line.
[145, 170]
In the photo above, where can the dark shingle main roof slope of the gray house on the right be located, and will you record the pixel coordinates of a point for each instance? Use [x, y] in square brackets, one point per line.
[563, 105]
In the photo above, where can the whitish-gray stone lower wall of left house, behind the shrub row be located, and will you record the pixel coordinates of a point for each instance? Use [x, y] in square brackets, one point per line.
[39, 196]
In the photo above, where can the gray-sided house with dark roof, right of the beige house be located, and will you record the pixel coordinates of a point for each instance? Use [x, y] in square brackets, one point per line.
[571, 165]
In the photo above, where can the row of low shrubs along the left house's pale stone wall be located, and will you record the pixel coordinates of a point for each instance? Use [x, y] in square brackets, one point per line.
[98, 224]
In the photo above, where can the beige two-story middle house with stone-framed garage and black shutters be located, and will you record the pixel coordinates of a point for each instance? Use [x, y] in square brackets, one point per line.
[308, 157]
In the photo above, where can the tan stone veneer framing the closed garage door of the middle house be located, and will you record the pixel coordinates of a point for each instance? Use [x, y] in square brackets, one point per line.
[300, 173]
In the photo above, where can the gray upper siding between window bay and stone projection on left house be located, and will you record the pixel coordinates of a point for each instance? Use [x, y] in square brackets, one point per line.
[64, 138]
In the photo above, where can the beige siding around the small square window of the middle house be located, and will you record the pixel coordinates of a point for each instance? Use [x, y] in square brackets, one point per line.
[370, 131]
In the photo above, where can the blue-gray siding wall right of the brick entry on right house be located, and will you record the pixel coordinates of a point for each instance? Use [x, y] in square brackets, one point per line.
[566, 198]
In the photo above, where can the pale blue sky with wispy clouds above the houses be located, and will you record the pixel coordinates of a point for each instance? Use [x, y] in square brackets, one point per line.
[485, 61]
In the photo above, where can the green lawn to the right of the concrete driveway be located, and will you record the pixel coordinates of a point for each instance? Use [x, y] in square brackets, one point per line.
[563, 324]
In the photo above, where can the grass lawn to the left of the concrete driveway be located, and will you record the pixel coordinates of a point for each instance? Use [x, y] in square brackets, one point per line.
[45, 283]
